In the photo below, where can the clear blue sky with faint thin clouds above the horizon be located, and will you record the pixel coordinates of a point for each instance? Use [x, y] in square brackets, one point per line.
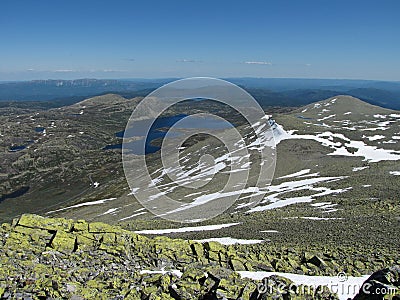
[153, 39]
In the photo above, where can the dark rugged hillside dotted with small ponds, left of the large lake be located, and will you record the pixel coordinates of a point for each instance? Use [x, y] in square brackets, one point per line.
[56, 155]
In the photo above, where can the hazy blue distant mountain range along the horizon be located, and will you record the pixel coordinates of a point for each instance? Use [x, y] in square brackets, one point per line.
[267, 91]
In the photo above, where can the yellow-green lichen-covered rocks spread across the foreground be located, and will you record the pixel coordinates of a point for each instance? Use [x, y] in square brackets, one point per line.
[53, 258]
